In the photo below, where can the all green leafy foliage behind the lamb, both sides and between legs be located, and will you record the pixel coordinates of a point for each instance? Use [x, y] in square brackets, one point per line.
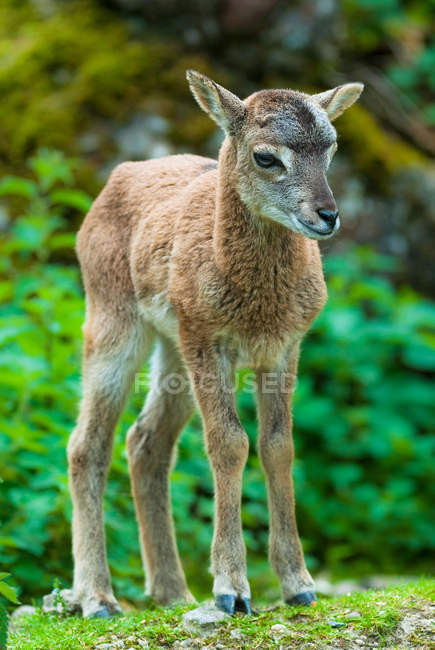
[363, 412]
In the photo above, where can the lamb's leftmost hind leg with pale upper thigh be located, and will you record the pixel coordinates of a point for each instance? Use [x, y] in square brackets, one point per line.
[113, 351]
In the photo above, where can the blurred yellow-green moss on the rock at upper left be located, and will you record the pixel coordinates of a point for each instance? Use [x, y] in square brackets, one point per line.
[81, 69]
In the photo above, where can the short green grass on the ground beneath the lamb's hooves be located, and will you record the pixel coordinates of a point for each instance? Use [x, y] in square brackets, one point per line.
[370, 620]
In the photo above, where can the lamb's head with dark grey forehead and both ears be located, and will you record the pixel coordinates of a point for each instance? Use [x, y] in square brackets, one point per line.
[284, 141]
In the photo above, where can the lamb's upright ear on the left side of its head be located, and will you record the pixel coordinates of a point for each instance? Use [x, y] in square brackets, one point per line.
[226, 109]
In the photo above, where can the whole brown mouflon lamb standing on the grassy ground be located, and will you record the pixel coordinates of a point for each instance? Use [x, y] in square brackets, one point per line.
[217, 264]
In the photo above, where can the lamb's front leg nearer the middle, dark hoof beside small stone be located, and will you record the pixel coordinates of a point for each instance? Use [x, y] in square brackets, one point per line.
[227, 447]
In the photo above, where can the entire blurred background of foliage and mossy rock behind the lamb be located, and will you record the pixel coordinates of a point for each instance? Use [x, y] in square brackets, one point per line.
[85, 85]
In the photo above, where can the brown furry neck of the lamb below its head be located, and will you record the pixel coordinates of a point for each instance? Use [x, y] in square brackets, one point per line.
[249, 249]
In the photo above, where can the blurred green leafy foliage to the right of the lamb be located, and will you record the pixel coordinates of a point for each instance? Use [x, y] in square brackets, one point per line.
[364, 419]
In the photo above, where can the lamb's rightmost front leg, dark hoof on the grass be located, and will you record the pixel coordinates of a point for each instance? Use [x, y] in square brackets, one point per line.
[276, 451]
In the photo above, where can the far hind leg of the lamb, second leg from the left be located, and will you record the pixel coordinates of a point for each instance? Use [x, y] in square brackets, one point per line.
[151, 443]
